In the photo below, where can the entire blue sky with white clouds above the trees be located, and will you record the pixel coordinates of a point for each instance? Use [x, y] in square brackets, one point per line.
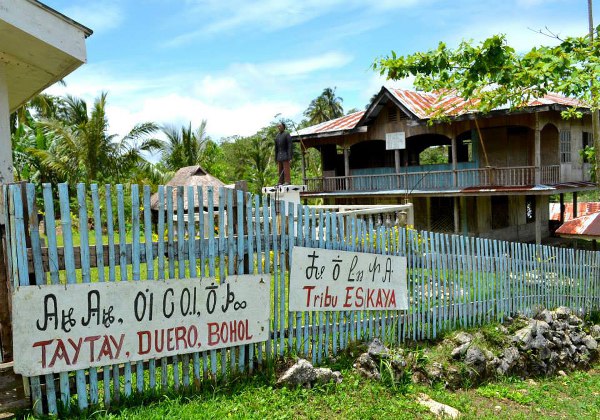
[239, 63]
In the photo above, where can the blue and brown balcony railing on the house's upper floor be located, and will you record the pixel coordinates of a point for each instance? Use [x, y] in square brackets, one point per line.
[437, 180]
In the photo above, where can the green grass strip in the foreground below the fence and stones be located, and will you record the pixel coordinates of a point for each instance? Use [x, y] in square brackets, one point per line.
[574, 396]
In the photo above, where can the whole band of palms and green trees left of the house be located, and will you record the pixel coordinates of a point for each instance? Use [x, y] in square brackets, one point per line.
[58, 139]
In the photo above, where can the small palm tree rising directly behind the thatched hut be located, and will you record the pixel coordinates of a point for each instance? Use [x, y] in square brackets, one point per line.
[183, 146]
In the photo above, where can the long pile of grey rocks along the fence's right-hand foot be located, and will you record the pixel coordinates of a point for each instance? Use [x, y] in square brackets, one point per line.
[549, 343]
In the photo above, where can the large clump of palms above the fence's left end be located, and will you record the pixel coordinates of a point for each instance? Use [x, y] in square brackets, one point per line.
[57, 139]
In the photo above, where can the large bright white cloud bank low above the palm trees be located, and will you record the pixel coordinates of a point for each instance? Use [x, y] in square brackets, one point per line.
[237, 101]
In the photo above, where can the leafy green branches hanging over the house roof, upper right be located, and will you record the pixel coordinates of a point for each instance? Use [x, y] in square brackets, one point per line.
[492, 74]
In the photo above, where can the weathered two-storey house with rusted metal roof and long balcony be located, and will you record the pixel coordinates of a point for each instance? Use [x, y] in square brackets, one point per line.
[496, 174]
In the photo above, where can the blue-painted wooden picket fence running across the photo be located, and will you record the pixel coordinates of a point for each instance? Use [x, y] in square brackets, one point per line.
[111, 233]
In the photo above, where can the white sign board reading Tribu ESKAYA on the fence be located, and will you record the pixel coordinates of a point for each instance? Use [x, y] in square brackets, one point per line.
[328, 280]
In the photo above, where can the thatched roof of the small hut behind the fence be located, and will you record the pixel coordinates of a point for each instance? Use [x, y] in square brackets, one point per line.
[194, 176]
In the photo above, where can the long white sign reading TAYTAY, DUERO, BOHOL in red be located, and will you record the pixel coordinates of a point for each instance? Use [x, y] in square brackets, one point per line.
[60, 328]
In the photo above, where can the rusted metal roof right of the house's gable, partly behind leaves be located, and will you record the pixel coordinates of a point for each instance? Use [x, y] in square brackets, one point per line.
[423, 104]
